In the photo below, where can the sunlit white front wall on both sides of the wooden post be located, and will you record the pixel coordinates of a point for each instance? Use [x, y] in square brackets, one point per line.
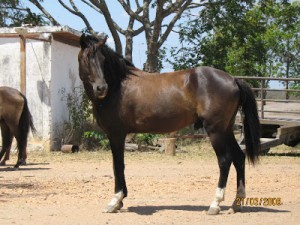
[38, 75]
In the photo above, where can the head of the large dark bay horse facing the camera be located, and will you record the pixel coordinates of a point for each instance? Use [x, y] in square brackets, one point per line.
[91, 62]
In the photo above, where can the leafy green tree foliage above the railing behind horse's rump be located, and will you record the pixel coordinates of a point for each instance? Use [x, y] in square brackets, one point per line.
[242, 38]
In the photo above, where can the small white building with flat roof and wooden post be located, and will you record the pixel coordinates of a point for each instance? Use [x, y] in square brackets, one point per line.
[42, 63]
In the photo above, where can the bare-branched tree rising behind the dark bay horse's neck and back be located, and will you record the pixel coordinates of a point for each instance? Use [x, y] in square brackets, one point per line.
[156, 18]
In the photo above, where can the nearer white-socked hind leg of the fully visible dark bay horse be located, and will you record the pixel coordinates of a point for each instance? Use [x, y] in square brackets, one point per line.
[221, 144]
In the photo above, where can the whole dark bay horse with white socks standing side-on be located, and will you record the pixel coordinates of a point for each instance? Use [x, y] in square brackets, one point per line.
[128, 100]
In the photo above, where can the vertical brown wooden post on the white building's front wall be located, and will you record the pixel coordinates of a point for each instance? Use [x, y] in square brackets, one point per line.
[23, 64]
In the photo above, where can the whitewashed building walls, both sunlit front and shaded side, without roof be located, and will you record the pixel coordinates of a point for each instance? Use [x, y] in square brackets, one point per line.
[51, 73]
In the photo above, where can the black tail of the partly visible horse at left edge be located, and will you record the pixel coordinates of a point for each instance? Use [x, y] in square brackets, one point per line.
[25, 122]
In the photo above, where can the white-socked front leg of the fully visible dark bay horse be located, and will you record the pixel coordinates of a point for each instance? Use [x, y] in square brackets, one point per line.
[117, 148]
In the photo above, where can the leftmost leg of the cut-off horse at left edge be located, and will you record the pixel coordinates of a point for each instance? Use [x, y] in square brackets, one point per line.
[7, 139]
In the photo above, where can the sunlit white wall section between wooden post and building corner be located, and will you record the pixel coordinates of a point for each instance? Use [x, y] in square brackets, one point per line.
[38, 77]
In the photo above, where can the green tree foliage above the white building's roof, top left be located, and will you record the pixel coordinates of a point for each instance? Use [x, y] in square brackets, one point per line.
[12, 13]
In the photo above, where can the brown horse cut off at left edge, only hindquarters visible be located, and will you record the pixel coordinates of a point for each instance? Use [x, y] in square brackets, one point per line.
[15, 121]
